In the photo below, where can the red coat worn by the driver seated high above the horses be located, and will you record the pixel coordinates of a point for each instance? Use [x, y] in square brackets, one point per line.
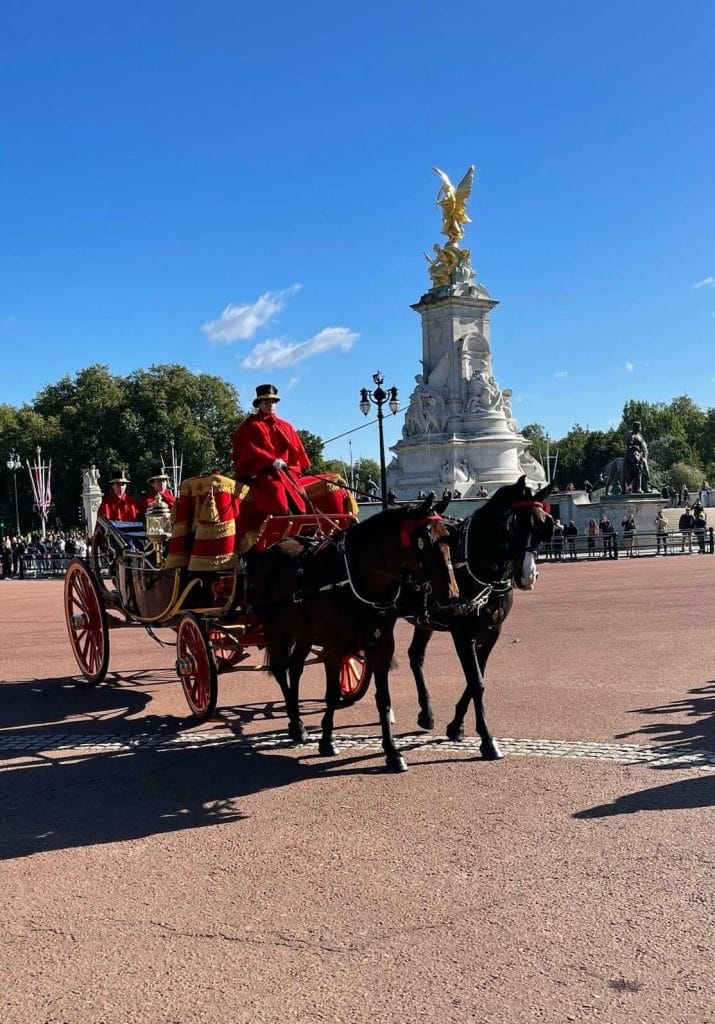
[262, 439]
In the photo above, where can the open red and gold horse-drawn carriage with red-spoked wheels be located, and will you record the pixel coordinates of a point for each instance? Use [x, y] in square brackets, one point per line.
[184, 576]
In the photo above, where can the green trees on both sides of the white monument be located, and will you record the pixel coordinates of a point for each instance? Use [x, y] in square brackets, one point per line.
[128, 422]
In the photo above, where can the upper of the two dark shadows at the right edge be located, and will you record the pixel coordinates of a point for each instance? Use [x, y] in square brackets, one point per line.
[696, 734]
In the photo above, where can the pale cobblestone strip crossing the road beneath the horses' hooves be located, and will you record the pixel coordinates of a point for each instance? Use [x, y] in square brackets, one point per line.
[666, 755]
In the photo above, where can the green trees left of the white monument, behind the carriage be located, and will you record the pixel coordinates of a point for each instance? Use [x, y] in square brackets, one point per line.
[125, 422]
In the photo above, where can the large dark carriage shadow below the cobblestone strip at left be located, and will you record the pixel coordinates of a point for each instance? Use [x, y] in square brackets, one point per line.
[79, 800]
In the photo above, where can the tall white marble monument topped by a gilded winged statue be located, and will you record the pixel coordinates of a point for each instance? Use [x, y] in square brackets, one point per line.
[459, 430]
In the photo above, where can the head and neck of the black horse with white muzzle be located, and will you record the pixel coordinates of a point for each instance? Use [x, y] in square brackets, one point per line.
[503, 536]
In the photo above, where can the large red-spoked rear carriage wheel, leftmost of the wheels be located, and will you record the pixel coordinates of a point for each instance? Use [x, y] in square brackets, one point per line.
[87, 622]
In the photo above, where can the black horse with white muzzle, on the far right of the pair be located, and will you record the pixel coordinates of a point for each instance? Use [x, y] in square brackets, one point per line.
[493, 550]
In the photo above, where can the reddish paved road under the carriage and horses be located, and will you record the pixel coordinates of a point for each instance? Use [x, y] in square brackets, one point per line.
[155, 873]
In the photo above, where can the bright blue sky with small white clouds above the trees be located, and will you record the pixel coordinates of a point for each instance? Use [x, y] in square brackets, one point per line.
[248, 190]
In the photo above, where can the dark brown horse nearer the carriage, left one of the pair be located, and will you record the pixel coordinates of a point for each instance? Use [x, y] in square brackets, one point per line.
[344, 595]
